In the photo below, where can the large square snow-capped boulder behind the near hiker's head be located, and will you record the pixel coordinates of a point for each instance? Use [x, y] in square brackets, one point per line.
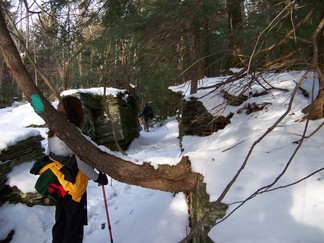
[116, 115]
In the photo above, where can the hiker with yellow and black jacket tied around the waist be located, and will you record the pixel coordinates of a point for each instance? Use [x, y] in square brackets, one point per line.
[69, 192]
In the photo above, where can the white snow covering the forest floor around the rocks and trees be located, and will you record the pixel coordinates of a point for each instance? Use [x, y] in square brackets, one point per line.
[290, 214]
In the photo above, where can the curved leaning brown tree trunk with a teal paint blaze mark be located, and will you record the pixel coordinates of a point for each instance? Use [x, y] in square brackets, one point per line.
[166, 178]
